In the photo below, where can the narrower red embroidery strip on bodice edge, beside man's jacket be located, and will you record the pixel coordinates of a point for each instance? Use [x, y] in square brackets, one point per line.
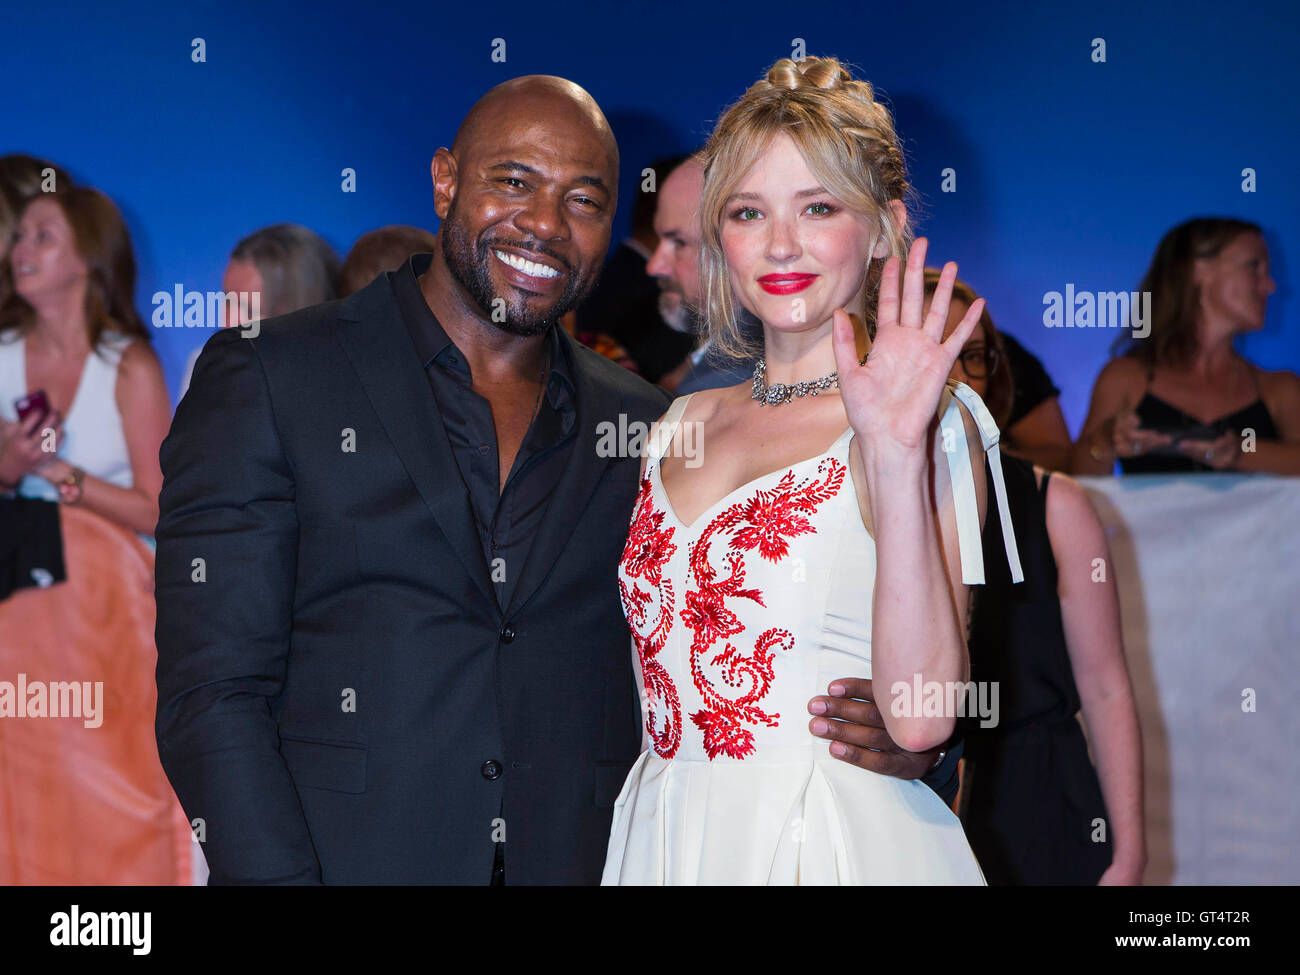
[644, 557]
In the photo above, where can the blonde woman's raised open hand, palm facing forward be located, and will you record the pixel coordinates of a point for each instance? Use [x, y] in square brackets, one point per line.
[892, 398]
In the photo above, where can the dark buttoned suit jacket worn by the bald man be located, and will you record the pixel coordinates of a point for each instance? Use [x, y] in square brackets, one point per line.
[340, 697]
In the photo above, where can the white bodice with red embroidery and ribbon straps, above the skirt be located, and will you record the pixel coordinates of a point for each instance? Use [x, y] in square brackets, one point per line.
[757, 606]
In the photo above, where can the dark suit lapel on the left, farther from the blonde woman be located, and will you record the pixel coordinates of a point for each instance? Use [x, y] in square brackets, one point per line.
[385, 359]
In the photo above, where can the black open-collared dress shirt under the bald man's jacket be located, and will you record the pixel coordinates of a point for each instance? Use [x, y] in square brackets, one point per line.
[508, 519]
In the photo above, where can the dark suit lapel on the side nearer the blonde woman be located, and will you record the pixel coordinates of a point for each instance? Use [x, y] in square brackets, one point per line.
[596, 402]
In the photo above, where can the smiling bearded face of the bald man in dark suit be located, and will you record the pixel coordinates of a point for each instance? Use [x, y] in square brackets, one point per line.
[528, 223]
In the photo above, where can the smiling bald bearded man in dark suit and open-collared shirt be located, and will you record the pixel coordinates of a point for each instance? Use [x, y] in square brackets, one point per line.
[391, 640]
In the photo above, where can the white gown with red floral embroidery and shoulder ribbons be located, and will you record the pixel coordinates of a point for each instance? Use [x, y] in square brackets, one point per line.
[738, 621]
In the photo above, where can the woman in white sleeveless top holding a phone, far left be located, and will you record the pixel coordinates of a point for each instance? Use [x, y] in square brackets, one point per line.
[71, 330]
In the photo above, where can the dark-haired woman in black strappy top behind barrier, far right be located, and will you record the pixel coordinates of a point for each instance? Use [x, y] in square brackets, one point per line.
[1182, 400]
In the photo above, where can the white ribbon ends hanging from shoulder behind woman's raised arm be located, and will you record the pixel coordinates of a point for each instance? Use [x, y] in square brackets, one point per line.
[964, 483]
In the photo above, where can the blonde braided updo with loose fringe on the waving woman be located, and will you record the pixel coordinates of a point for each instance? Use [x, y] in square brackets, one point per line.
[848, 141]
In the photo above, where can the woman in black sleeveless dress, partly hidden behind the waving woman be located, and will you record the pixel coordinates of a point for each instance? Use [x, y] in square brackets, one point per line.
[1035, 811]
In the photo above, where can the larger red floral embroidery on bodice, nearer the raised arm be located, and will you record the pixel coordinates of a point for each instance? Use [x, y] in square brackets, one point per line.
[766, 522]
